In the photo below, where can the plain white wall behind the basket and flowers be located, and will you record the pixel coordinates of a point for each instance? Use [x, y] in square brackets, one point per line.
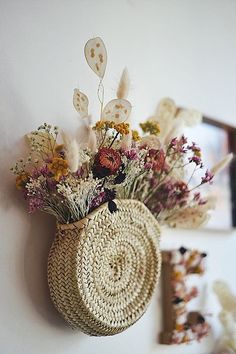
[184, 49]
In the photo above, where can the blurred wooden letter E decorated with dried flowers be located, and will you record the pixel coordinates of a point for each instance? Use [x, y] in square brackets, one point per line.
[179, 325]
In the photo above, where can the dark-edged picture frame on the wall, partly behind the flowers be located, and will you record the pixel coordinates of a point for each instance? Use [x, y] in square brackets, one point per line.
[217, 139]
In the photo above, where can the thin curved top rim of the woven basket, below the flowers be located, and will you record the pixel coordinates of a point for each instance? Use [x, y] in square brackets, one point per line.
[83, 222]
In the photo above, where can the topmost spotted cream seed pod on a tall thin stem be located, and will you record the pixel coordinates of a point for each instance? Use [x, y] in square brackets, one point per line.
[96, 55]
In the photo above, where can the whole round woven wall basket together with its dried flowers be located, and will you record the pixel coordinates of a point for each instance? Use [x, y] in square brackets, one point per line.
[109, 199]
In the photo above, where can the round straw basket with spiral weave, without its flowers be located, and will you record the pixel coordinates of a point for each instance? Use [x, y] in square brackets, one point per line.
[102, 270]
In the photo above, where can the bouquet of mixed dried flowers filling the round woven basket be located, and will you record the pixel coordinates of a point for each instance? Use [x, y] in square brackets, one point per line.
[68, 180]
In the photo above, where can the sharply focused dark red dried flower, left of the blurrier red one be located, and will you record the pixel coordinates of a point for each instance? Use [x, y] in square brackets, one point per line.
[107, 162]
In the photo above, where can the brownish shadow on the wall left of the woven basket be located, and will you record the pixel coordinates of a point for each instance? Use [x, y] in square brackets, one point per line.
[36, 251]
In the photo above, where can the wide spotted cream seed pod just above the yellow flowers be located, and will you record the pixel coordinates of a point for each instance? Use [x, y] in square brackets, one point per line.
[117, 110]
